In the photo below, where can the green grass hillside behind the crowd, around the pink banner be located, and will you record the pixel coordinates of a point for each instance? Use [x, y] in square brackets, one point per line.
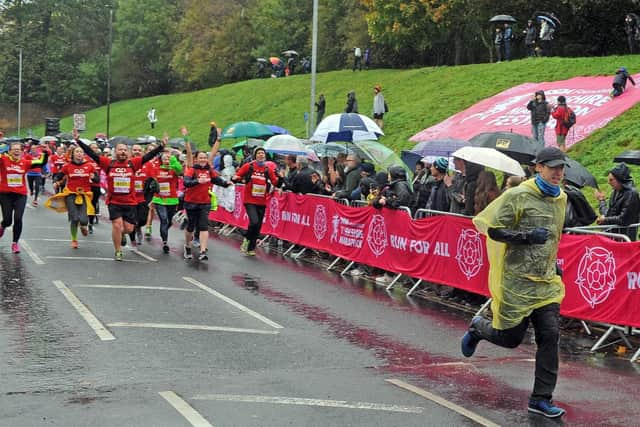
[417, 98]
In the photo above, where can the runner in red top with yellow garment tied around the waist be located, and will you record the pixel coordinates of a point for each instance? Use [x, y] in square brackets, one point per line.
[76, 197]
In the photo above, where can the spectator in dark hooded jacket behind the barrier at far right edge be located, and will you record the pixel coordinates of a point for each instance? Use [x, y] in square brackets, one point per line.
[624, 203]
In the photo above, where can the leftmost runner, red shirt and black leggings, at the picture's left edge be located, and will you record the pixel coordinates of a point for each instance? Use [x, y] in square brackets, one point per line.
[13, 189]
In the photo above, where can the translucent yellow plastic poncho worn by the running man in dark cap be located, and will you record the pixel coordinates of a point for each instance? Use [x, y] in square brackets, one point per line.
[522, 277]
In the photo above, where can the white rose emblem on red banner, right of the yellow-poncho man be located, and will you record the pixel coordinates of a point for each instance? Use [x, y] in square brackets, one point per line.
[596, 276]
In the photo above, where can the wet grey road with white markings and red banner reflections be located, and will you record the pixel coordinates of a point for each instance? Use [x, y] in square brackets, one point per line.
[265, 341]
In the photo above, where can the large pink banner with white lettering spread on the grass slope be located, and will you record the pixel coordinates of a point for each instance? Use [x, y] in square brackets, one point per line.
[507, 111]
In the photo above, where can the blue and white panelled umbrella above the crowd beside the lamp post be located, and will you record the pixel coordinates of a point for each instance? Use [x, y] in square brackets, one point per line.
[348, 127]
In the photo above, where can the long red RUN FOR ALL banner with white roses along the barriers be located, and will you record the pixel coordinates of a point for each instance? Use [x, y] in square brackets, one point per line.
[601, 276]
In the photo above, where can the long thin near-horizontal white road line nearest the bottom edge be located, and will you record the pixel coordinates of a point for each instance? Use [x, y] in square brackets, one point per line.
[277, 400]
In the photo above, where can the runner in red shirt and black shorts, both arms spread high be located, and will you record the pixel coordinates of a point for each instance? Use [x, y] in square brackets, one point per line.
[121, 195]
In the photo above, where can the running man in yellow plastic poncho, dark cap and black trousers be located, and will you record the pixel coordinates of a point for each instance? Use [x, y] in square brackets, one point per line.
[523, 228]
